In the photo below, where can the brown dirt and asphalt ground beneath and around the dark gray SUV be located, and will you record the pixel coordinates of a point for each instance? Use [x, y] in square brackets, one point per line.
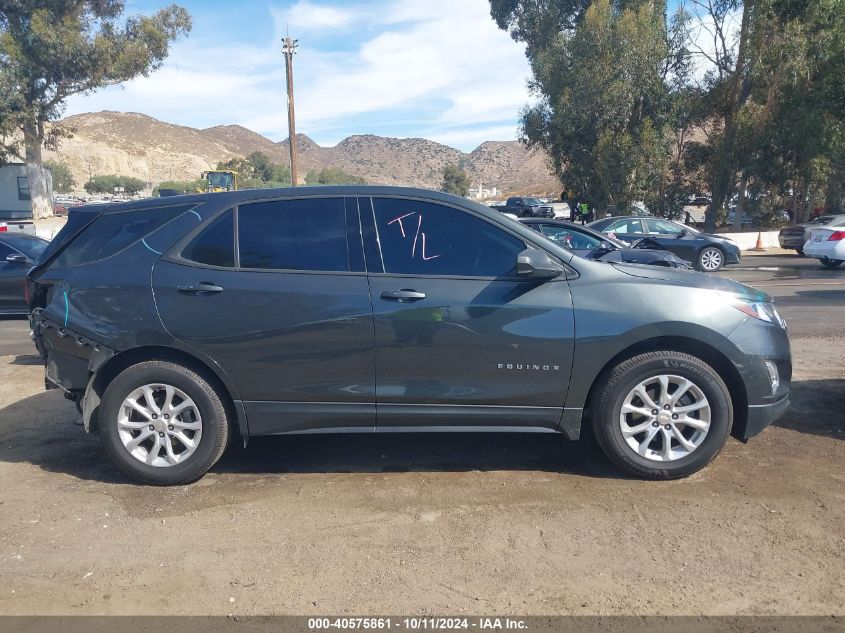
[437, 524]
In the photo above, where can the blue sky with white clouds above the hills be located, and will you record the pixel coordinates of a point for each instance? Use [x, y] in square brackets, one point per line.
[436, 69]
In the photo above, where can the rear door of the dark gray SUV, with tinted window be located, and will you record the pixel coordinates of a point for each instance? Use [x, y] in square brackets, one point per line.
[275, 293]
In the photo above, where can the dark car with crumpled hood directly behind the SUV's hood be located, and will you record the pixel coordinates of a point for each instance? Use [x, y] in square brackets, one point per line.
[590, 244]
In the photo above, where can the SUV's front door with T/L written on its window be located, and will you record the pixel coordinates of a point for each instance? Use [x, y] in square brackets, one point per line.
[460, 340]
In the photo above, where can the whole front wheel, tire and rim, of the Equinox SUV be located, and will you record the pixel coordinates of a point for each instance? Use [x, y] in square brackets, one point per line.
[662, 415]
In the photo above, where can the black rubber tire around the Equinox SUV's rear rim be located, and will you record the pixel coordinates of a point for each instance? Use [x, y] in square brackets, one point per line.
[215, 423]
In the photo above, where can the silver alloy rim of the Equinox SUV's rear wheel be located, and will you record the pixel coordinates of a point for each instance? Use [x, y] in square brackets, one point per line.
[159, 425]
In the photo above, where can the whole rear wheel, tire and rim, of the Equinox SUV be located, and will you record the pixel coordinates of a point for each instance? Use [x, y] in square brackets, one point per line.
[162, 423]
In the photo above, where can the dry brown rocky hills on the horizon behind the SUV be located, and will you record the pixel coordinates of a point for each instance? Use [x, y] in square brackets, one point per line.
[134, 144]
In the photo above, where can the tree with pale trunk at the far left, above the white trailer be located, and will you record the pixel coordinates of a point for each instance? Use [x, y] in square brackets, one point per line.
[52, 50]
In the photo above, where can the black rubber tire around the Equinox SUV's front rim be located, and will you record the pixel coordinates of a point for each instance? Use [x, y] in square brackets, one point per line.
[609, 397]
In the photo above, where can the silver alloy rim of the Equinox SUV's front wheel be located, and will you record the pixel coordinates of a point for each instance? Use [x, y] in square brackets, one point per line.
[665, 418]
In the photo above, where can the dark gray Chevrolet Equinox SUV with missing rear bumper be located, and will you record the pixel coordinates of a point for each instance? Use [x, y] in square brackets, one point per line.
[177, 324]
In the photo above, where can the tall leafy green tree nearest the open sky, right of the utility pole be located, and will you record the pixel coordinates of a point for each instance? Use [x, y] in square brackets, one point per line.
[605, 114]
